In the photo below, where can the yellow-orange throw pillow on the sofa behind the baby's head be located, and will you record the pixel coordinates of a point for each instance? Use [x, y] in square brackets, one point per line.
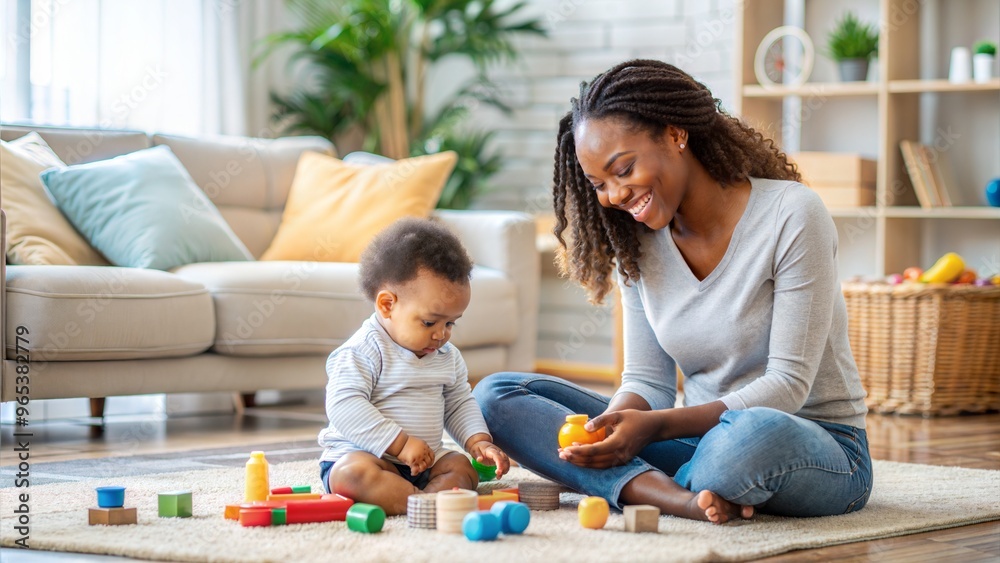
[334, 209]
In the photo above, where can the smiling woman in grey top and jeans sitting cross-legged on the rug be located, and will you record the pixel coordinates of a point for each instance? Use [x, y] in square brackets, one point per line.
[727, 271]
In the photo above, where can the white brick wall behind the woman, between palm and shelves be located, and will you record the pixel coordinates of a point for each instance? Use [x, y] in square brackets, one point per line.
[586, 37]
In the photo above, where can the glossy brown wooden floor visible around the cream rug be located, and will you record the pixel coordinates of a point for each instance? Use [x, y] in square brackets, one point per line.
[965, 441]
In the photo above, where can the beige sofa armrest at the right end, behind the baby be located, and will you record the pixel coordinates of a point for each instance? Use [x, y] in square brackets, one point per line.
[505, 241]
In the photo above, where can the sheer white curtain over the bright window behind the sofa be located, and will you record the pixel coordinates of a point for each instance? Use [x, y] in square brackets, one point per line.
[178, 66]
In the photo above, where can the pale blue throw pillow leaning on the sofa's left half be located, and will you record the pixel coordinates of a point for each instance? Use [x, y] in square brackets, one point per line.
[143, 210]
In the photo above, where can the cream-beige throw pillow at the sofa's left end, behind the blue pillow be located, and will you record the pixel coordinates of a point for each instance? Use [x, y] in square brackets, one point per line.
[37, 232]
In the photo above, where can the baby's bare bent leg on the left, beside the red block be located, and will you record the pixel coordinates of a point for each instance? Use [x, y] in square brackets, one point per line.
[362, 477]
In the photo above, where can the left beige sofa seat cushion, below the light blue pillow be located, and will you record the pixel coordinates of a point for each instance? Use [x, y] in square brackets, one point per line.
[106, 313]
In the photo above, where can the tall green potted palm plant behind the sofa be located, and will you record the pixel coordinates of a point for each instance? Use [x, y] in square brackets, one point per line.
[369, 63]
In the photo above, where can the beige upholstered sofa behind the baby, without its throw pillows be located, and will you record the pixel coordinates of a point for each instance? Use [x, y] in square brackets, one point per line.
[99, 331]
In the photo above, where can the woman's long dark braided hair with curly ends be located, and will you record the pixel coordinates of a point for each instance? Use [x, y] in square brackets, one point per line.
[647, 95]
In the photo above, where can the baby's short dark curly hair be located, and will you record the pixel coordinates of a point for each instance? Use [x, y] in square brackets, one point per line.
[396, 255]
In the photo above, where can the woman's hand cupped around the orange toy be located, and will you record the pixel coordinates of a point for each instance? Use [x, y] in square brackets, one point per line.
[629, 431]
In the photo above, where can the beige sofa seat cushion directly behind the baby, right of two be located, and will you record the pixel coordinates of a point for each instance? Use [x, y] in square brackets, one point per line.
[289, 308]
